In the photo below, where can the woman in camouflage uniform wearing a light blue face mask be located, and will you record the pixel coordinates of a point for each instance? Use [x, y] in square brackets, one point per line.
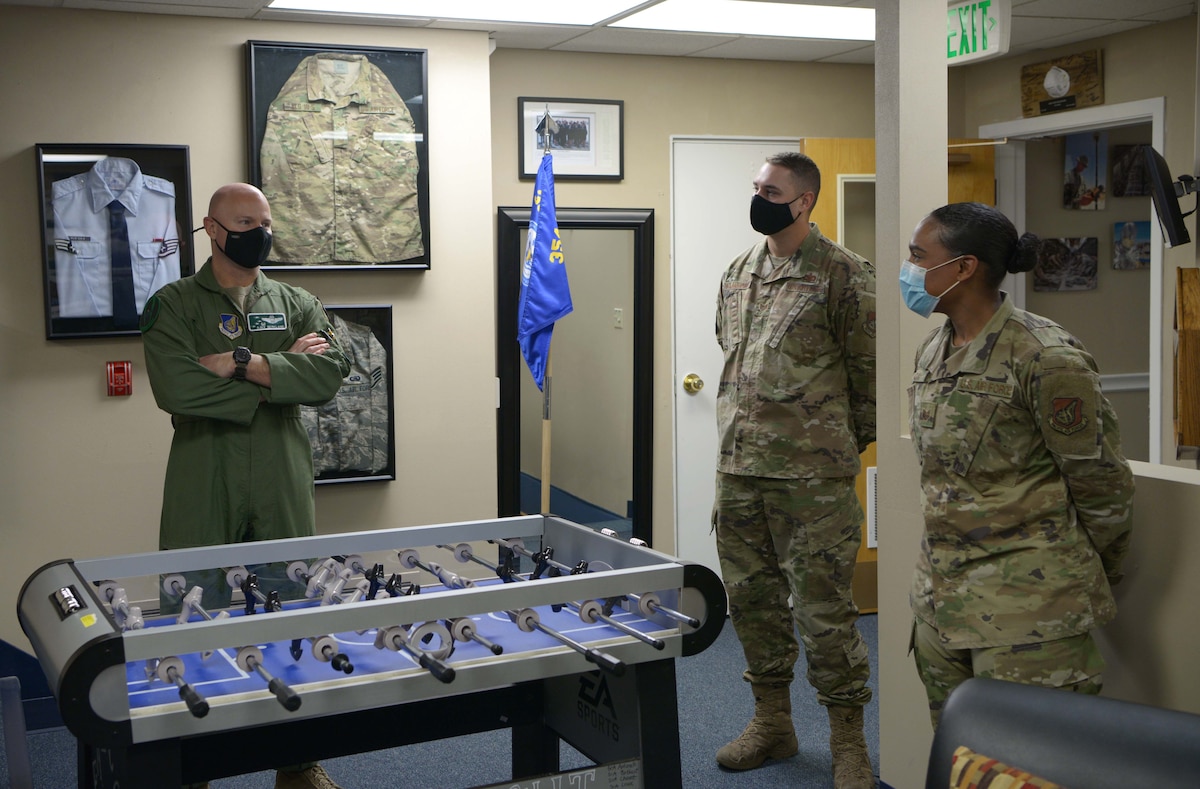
[1025, 492]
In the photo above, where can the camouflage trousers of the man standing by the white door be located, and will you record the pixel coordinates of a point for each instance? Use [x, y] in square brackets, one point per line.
[799, 538]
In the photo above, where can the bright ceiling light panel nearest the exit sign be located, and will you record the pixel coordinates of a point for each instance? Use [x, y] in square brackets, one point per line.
[748, 19]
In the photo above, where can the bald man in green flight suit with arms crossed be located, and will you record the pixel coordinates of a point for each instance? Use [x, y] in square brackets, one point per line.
[232, 356]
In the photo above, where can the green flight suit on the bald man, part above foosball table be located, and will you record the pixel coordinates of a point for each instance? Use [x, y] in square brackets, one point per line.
[241, 465]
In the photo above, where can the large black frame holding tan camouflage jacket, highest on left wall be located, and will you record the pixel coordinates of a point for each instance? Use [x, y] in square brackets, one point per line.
[369, 159]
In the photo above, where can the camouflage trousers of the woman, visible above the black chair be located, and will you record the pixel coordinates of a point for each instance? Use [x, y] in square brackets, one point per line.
[1071, 664]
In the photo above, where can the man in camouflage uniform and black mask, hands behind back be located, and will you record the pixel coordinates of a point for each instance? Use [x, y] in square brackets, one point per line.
[796, 407]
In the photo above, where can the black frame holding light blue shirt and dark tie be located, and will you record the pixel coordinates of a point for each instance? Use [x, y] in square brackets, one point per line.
[153, 185]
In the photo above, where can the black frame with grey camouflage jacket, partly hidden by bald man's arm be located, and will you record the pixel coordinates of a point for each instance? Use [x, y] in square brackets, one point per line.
[353, 437]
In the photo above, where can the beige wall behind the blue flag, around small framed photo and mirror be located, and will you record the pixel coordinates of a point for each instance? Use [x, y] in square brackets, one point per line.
[667, 97]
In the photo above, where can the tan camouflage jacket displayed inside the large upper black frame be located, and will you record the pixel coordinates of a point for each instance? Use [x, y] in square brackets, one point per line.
[339, 165]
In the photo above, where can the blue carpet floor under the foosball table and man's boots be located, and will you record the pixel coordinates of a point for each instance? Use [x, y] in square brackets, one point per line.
[715, 706]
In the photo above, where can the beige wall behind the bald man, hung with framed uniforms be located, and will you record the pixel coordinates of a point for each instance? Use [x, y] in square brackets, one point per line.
[82, 472]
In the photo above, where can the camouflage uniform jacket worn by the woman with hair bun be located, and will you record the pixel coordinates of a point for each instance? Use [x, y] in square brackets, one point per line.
[1028, 499]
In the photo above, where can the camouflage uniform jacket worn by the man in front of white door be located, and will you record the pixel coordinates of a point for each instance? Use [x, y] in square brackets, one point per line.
[797, 393]
